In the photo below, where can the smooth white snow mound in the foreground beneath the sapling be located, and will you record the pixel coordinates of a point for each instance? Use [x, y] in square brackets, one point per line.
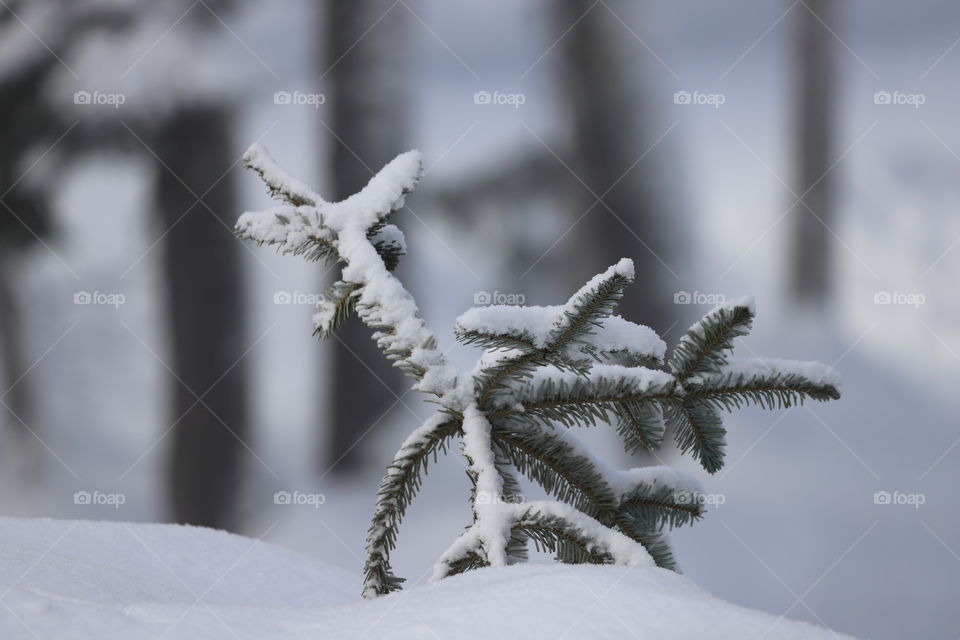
[130, 581]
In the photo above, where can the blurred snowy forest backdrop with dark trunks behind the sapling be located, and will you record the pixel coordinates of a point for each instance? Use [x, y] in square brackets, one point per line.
[156, 369]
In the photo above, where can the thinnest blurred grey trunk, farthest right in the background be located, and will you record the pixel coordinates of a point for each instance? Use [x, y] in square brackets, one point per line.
[814, 125]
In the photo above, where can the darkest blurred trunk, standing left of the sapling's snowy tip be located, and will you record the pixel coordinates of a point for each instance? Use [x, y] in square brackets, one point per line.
[206, 320]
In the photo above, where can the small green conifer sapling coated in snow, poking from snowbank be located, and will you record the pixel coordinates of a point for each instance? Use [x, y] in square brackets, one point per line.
[542, 368]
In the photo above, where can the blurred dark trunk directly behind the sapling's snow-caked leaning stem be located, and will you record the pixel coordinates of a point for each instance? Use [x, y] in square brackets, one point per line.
[365, 112]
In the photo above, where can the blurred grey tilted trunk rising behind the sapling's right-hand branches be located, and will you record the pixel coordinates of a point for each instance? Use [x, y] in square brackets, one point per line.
[604, 88]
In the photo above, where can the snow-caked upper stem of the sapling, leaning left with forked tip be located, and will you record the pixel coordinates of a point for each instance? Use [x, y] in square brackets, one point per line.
[351, 231]
